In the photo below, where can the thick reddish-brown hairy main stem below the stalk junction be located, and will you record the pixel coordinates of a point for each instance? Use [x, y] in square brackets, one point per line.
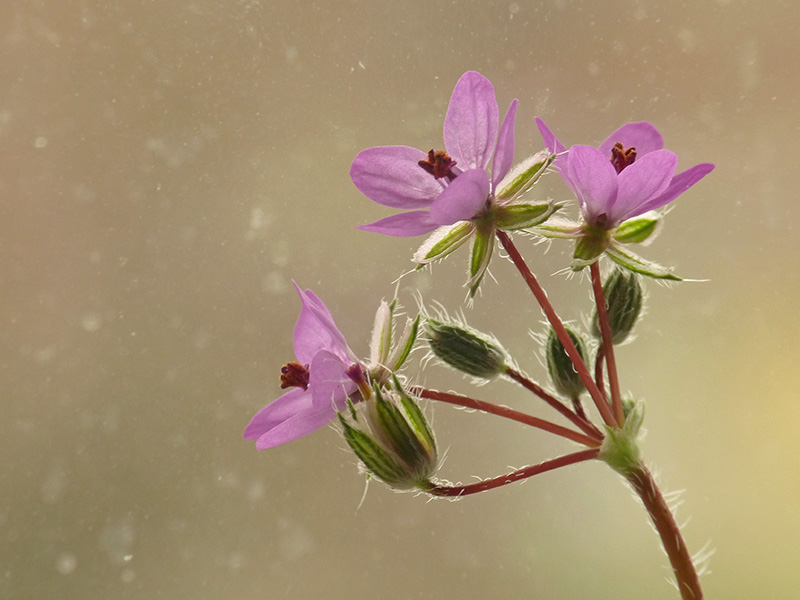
[688, 583]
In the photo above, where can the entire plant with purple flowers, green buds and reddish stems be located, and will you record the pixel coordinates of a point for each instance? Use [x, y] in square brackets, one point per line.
[472, 191]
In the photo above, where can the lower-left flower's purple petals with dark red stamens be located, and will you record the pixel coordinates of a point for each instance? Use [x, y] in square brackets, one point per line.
[325, 374]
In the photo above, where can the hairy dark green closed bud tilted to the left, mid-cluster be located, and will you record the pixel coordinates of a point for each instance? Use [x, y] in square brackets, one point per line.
[466, 349]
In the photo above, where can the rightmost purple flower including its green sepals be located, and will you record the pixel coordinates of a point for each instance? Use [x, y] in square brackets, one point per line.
[628, 175]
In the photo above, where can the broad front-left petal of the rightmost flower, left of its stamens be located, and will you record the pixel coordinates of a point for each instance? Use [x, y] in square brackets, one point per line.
[593, 179]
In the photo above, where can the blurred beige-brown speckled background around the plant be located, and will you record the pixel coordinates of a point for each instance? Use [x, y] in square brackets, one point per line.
[167, 168]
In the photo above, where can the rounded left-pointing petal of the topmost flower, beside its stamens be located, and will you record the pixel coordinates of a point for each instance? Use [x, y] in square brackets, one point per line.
[391, 175]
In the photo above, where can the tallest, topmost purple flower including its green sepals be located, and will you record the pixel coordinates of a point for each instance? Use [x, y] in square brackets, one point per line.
[455, 192]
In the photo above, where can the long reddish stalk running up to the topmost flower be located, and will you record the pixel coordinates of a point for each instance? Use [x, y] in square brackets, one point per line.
[541, 297]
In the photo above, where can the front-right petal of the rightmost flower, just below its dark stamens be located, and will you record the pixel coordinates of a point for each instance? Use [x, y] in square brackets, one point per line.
[646, 178]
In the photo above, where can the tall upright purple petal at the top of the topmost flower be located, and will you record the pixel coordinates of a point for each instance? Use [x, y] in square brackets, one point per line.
[470, 126]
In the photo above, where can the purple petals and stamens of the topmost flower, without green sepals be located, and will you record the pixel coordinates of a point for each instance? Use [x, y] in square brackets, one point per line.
[440, 188]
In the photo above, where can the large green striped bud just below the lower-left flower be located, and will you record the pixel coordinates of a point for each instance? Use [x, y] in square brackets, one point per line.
[399, 448]
